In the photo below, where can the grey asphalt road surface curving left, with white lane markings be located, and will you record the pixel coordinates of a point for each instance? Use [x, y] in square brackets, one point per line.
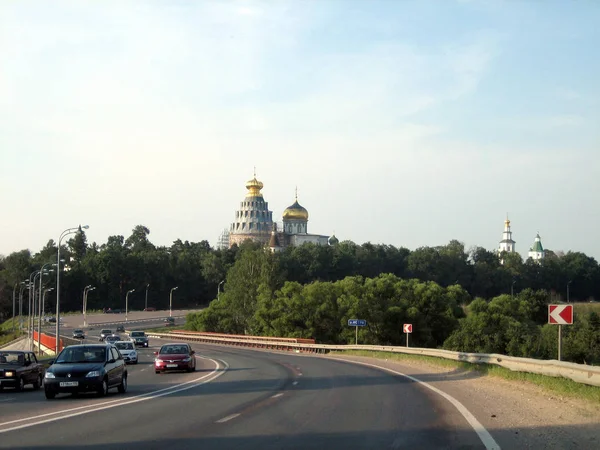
[242, 399]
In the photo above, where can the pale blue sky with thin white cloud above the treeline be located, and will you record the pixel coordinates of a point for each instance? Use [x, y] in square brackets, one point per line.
[407, 123]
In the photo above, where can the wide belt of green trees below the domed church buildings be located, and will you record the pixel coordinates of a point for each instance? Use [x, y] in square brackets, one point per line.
[456, 298]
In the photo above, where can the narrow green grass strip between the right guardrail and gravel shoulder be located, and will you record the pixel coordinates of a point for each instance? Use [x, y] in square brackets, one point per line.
[557, 385]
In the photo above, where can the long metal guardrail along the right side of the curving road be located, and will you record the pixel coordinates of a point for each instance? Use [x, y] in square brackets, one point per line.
[579, 373]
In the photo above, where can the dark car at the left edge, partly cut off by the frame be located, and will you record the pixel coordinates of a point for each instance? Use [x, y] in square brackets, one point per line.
[18, 369]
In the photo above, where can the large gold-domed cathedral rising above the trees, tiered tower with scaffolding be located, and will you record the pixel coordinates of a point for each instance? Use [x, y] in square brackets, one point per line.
[254, 221]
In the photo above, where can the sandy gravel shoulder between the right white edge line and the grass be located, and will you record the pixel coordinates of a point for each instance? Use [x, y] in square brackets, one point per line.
[518, 415]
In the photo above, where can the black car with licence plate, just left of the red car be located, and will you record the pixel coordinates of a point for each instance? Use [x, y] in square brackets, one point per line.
[86, 368]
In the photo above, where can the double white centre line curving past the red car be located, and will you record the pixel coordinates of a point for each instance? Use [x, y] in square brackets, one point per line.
[120, 402]
